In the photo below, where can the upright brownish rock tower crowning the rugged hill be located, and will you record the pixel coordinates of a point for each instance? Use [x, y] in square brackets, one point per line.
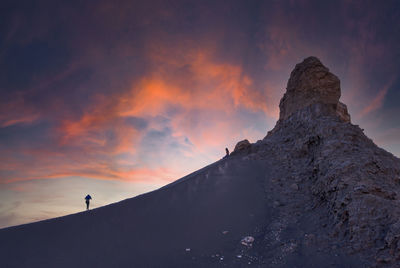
[311, 83]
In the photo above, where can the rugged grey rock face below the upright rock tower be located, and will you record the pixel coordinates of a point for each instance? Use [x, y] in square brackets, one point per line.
[349, 184]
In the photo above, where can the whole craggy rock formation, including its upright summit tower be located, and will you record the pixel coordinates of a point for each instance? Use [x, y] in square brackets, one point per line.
[354, 184]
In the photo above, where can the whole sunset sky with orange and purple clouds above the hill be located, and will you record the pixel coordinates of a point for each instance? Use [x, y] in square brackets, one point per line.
[117, 98]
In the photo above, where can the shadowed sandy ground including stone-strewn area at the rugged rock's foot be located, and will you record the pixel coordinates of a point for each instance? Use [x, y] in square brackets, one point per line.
[154, 229]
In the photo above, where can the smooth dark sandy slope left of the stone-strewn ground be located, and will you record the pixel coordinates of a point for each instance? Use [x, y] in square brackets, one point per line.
[150, 230]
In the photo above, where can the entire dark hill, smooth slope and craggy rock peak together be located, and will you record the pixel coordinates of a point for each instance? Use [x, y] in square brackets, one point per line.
[315, 192]
